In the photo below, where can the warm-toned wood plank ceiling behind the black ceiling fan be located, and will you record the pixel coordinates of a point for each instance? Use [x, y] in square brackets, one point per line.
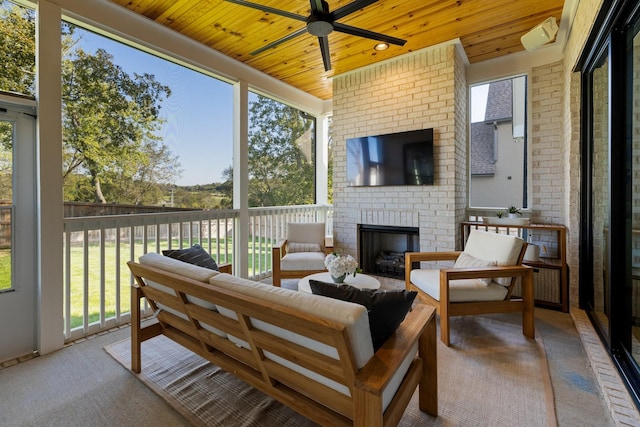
[486, 28]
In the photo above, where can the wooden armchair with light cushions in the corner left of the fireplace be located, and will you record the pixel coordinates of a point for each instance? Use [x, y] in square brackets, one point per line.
[301, 253]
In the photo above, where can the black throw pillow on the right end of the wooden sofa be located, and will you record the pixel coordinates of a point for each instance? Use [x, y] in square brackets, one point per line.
[387, 309]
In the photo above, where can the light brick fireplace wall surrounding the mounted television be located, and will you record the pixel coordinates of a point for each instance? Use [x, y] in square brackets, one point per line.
[426, 89]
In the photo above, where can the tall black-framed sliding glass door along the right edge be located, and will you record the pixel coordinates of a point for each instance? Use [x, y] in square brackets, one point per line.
[610, 209]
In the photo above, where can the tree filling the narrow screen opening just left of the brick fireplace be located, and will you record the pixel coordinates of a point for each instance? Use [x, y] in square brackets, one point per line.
[281, 153]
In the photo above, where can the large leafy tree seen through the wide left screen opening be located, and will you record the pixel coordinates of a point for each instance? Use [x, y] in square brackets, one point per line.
[109, 120]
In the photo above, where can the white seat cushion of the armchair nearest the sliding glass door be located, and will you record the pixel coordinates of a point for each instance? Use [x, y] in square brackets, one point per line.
[465, 290]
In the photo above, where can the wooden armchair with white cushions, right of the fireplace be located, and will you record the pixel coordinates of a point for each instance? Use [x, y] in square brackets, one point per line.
[480, 282]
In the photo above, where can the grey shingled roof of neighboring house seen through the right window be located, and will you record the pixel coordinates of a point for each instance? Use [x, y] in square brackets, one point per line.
[499, 109]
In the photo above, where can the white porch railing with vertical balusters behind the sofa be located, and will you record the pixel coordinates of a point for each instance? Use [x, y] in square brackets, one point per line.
[97, 281]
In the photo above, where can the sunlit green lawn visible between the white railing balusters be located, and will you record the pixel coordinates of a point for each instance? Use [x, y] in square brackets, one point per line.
[92, 292]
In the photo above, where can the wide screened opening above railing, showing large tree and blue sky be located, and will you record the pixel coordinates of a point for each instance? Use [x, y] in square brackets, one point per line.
[142, 130]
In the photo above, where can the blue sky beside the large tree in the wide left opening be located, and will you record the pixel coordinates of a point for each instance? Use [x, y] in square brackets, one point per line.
[198, 114]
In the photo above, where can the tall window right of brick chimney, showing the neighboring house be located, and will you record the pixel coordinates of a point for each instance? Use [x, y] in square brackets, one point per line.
[498, 144]
